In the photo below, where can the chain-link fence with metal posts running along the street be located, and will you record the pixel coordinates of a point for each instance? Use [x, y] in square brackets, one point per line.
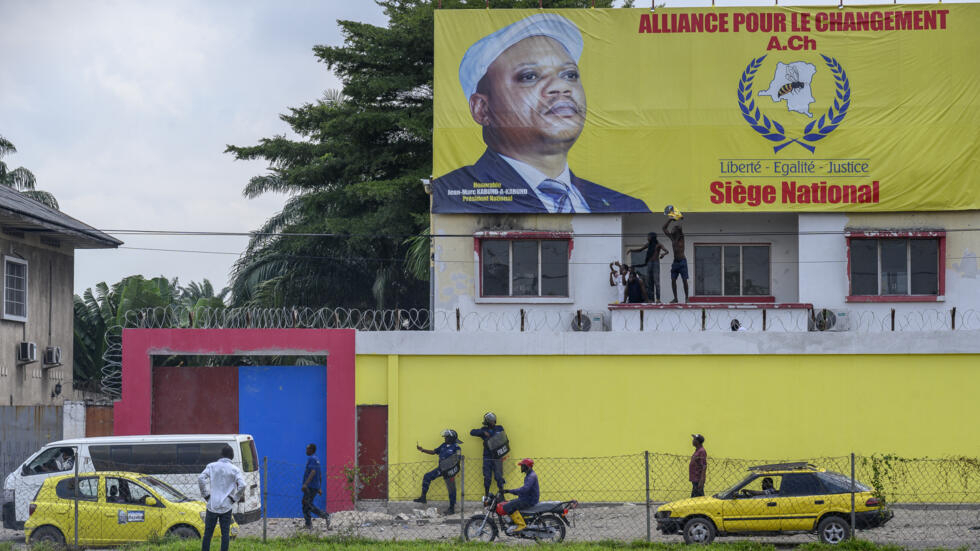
[917, 503]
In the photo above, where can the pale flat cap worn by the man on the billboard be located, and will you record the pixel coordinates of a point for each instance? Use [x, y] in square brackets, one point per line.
[478, 58]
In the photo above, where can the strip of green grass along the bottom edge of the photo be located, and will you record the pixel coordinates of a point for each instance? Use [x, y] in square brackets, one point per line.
[334, 543]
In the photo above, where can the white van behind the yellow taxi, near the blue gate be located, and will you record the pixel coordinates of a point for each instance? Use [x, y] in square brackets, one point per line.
[176, 459]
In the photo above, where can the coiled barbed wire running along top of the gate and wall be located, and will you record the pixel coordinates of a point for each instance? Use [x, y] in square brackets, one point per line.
[665, 320]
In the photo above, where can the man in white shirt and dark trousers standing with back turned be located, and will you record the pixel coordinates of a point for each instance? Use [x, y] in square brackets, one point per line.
[221, 484]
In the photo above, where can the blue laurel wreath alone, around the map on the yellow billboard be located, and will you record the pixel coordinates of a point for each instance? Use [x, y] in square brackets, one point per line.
[771, 130]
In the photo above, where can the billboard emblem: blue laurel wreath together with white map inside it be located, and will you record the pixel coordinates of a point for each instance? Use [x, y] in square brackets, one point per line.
[792, 83]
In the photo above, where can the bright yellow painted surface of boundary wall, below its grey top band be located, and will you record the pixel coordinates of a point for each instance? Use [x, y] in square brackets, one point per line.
[752, 407]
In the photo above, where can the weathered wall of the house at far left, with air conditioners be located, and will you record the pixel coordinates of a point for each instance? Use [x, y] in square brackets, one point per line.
[49, 323]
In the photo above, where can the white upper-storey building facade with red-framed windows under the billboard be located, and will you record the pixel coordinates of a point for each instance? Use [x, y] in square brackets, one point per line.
[771, 271]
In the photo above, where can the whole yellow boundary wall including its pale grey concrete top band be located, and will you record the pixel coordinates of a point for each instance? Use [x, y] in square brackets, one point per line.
[755, 396]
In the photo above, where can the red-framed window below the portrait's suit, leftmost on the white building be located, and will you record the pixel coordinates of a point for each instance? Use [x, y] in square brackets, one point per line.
[524, 267]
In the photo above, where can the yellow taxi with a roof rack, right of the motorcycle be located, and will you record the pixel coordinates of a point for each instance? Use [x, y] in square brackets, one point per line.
[776, 499]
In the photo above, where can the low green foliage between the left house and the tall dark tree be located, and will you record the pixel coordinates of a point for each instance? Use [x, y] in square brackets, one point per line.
[105, 307]
